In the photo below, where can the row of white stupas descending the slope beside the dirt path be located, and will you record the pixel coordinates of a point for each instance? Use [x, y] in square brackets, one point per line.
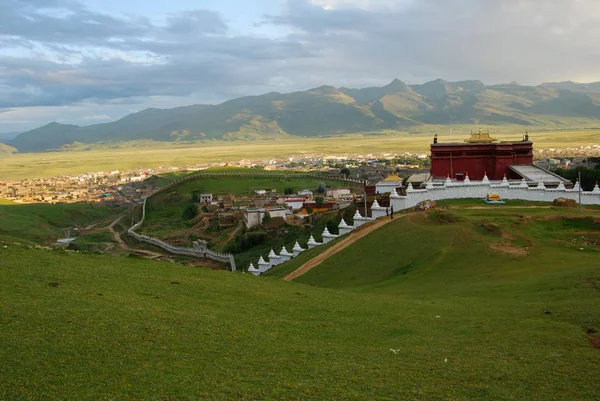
[274, 259]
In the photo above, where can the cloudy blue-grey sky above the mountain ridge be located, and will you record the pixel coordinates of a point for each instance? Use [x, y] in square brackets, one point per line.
[92, 61]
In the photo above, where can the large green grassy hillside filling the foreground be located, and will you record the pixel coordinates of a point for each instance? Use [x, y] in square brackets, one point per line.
[477, 304]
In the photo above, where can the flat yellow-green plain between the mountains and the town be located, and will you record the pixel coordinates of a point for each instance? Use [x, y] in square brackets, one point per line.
[149, 155]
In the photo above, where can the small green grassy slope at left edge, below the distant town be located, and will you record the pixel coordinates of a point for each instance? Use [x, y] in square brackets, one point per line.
[45, 222]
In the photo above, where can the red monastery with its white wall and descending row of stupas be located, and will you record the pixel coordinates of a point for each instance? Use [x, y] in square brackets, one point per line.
[476, 169]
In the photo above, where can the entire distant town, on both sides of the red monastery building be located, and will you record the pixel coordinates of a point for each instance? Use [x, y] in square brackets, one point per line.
[129, 187]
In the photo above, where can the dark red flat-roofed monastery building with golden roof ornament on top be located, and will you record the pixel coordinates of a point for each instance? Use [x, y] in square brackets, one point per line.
[479, 155]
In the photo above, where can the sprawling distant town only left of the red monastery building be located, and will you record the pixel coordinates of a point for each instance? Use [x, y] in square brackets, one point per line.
[130, 187]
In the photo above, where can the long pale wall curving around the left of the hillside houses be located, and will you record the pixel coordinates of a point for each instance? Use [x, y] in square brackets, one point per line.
[225, 258]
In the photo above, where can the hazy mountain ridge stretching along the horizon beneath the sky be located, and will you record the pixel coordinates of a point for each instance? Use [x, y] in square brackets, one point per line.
[326, 111]
